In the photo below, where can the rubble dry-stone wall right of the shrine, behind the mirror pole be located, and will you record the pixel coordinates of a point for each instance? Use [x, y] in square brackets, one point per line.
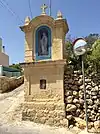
[74, 96]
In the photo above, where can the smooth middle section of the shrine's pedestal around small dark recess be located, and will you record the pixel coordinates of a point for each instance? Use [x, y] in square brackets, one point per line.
[54, 83]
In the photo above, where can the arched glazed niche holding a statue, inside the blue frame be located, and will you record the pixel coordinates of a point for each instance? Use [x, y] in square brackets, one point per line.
[43, 43]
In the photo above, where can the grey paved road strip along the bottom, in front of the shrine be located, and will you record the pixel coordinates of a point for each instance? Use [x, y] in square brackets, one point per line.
[22, 130]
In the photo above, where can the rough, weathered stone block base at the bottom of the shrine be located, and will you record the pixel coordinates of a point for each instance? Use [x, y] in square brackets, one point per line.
[45, 113]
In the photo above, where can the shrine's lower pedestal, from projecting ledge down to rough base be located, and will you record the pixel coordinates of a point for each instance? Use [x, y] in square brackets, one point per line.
[44, 105]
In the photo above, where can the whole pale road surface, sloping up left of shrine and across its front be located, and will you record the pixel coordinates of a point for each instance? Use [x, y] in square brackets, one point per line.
[10, 120]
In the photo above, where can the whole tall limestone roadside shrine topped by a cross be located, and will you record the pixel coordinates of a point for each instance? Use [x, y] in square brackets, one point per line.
[44, 69]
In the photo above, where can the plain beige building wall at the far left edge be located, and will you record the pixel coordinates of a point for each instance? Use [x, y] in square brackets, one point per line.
[4, 59]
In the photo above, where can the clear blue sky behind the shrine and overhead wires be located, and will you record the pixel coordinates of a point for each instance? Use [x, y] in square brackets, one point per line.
[83, 17]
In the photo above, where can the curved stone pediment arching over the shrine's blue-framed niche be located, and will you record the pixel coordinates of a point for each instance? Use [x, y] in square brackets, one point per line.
[44, 20]
